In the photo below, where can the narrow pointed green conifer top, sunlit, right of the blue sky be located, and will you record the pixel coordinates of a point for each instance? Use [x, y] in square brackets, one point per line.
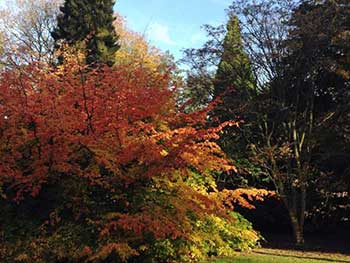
[234, 79]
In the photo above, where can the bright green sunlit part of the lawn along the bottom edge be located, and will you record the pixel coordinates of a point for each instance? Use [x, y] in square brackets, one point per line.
[257, 258]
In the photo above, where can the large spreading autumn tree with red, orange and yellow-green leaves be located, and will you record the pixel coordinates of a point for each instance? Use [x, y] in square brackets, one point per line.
[99, 165]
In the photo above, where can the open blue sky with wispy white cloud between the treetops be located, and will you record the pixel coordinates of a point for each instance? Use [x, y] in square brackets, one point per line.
[172, 24]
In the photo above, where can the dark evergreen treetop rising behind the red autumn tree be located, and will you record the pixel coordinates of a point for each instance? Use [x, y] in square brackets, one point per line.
[88, 25]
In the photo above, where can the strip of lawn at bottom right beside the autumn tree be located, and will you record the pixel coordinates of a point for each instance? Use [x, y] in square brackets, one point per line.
[280, 256]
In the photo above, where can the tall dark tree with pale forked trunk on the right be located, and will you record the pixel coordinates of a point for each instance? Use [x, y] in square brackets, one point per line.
[302, 101]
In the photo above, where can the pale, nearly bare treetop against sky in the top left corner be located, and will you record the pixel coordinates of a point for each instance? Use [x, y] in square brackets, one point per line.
[26, 31]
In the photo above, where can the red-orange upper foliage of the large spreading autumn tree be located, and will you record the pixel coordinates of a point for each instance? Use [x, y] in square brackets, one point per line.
[48, 120]
